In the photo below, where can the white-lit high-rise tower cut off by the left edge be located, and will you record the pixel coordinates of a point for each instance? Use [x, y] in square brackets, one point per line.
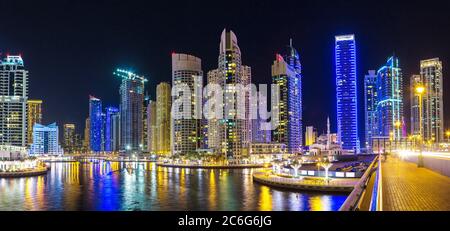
[13, 100]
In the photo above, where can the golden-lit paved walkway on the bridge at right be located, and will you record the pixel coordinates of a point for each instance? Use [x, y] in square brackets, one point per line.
[409, 188]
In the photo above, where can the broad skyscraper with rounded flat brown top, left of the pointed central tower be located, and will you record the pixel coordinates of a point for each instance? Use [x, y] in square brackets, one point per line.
[186, 132]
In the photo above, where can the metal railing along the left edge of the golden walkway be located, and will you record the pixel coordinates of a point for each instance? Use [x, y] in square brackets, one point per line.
[367, 194]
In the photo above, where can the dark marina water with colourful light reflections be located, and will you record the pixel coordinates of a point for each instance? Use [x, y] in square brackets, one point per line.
[144, 186]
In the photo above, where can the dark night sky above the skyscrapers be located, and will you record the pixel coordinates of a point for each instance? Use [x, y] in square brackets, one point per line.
[72, 47]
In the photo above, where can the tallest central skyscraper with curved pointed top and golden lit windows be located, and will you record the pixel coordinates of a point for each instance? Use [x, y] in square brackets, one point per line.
[230, 136]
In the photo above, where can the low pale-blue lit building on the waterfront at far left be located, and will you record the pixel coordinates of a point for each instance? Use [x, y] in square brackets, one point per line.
[45, 140]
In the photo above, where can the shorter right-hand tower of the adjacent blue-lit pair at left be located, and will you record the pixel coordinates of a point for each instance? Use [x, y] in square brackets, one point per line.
[112, 132]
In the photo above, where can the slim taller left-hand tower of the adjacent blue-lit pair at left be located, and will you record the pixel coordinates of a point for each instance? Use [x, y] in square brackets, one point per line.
[96, 123]
